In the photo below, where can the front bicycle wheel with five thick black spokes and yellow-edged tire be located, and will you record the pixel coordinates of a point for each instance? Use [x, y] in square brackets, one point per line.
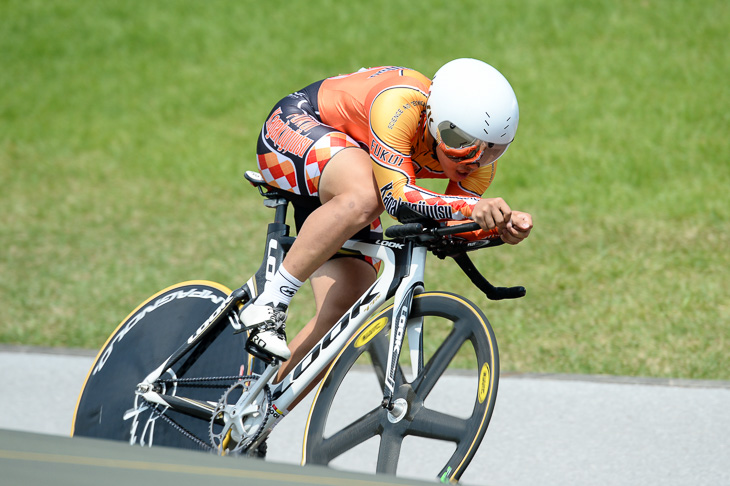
[467, 323]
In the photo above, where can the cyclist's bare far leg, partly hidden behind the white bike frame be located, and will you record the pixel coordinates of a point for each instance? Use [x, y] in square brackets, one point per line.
[336, 285]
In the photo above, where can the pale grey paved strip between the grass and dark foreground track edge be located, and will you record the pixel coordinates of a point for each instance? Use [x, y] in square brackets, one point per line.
[548, 430]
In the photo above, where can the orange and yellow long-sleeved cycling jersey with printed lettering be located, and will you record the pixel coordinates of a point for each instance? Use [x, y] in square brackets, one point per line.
[384, 109]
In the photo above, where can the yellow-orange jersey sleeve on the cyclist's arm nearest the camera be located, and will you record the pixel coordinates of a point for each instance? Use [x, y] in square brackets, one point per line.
[395, 114]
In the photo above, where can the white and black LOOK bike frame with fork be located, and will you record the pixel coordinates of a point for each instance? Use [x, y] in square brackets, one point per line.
[402, 278]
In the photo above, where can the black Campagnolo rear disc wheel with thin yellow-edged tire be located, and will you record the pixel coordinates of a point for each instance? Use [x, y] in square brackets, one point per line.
[141, 342]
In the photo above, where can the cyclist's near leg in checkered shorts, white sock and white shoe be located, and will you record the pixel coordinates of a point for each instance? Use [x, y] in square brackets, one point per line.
[336, 173]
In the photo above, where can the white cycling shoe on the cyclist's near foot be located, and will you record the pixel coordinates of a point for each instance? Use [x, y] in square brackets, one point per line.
[268, 340]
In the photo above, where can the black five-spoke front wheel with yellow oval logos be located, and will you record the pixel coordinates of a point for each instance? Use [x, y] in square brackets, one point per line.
[430, 407]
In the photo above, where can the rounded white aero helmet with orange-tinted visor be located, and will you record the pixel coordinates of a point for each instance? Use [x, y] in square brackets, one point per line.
[472, 112]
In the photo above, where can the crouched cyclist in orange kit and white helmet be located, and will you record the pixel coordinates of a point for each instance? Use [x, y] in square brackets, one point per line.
[350, 147]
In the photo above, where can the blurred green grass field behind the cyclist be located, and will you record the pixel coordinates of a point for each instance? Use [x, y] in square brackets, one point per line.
[125, 129]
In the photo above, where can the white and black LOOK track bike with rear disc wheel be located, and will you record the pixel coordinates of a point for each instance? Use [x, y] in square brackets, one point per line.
[175, 372]
